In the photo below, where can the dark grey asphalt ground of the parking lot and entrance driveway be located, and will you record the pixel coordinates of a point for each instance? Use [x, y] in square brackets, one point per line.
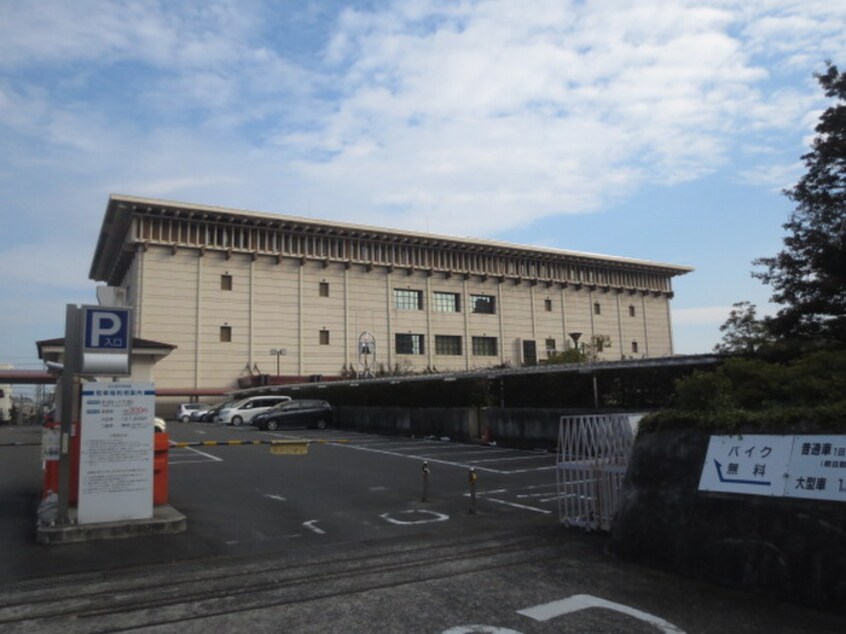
[341, 539]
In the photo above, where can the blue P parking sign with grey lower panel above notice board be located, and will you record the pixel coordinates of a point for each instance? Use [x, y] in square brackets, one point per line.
[106, 341]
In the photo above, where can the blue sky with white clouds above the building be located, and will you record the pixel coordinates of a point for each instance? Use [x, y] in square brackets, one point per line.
[659, 130]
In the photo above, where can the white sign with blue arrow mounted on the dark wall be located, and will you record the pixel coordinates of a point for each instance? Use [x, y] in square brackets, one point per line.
[811, 467]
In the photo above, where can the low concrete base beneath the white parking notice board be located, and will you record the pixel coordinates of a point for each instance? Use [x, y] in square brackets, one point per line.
[165, 521]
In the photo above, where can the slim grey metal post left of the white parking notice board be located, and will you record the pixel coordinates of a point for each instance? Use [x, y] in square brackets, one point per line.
[67, 412]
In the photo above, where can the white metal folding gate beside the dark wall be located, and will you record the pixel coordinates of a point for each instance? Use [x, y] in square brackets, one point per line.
[593, 454]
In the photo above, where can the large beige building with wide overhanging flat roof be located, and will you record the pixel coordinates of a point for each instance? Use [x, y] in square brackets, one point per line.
[243, 293]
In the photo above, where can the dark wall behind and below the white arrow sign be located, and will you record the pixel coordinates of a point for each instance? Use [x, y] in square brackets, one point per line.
[794, 550]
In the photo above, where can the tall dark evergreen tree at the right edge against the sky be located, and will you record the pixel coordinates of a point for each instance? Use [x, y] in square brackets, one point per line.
[809, 275]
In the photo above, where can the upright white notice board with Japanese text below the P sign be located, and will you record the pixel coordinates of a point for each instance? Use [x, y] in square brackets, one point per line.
[116, 452]
